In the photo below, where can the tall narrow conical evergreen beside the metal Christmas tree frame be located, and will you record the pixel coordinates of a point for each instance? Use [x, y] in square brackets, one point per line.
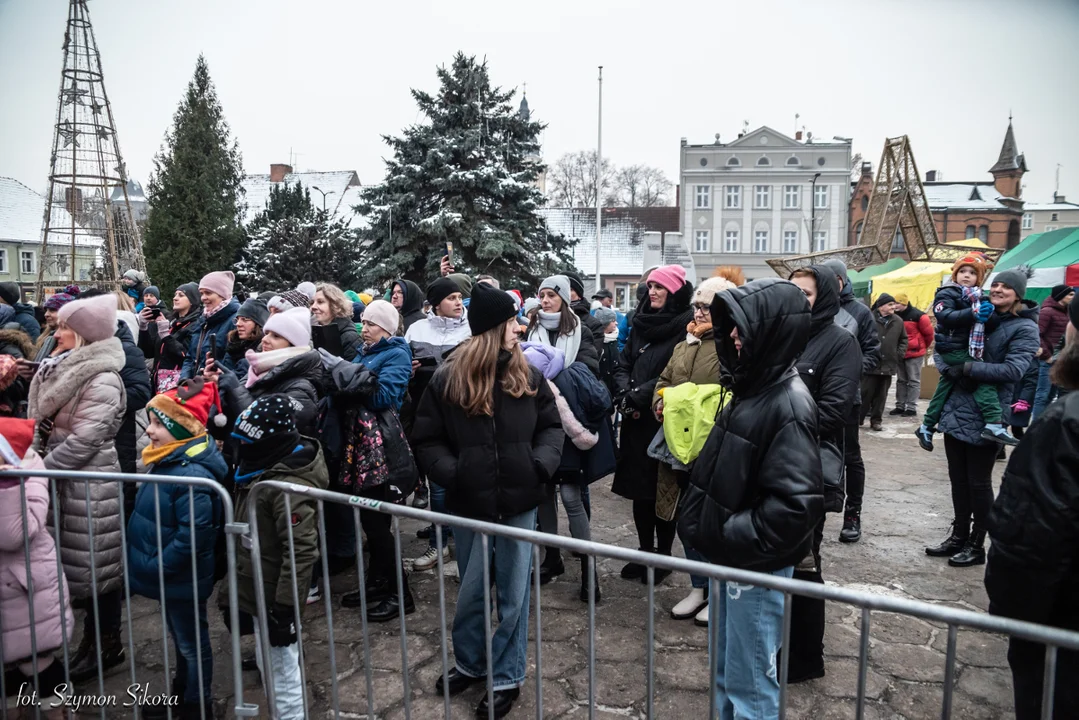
[196, 195]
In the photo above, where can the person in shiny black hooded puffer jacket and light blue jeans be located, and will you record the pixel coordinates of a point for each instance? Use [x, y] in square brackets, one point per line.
[755, 495]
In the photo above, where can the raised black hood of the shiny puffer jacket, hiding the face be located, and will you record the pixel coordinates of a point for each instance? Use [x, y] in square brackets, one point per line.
[773, 318]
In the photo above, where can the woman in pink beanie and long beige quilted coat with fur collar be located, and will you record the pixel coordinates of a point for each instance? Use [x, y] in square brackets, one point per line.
[78, 401]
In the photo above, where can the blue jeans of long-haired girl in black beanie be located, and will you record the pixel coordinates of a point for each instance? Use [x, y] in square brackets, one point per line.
[511, 569]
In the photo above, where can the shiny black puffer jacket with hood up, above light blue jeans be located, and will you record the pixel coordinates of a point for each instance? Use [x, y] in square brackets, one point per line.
[756, 493]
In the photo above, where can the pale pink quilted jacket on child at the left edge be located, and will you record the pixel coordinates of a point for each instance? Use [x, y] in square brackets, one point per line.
[15, 596]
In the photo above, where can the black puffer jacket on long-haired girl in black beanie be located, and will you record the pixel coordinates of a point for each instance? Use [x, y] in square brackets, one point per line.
[493, 468]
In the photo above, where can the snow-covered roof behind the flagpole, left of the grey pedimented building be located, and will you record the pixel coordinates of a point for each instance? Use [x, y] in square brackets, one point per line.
[622, 230]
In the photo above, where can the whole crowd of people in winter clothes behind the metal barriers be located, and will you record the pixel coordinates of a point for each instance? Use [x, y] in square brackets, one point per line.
[729, 415]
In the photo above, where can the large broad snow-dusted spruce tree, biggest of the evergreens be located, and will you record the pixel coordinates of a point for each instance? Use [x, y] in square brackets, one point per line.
[466, 175]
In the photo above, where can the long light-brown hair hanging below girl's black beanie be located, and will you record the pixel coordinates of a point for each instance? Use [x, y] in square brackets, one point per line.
[472, 371]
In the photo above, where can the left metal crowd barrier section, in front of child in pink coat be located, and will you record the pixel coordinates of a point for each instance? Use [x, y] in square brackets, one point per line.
[81, 482]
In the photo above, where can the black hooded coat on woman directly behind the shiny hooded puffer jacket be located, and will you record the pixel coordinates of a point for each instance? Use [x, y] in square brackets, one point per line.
[831, 364]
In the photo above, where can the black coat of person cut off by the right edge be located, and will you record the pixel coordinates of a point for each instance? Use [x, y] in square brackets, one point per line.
[1033, 572]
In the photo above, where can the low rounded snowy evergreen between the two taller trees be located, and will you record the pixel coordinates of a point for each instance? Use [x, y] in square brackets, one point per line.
[291, 241]
